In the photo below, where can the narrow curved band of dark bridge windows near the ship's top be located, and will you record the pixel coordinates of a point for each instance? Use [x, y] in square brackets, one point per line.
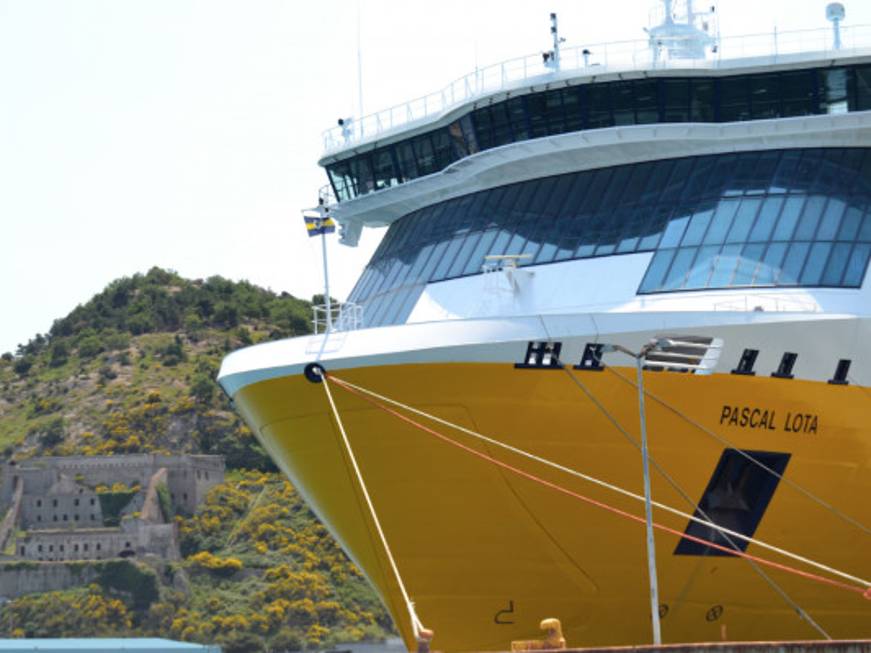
[605, 104]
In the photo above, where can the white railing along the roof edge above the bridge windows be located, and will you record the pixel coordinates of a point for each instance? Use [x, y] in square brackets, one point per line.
[599, 58]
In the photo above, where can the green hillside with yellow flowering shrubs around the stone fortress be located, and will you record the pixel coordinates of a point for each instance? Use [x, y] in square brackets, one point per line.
[132, 370]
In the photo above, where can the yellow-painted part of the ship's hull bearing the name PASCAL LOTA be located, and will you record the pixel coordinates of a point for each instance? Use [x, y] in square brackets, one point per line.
[486, 554]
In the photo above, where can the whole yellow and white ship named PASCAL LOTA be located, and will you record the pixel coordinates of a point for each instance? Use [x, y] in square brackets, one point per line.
[684, 219]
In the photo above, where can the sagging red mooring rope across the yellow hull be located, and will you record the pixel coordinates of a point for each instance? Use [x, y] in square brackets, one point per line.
[866, 593]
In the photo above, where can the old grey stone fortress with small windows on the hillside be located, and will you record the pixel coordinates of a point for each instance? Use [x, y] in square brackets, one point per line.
[68, 510]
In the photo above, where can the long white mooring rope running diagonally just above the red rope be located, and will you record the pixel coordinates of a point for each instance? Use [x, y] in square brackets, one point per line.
[610, 486]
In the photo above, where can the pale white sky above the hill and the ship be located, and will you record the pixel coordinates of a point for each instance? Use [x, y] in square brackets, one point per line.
[185, 134]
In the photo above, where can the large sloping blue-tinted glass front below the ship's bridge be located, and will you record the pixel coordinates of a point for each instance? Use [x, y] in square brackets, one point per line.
[753, 219]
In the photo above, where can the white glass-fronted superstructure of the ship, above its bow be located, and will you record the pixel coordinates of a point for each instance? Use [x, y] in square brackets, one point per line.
[621, 185]
